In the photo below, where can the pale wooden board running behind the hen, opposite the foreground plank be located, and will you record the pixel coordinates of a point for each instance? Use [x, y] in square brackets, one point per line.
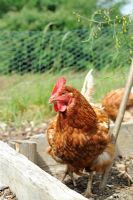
[124, 143]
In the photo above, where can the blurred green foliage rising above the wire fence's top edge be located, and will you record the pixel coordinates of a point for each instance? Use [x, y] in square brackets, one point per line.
[37, 14]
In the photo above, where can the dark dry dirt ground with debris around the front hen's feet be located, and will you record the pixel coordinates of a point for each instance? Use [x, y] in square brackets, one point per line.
[119, 185]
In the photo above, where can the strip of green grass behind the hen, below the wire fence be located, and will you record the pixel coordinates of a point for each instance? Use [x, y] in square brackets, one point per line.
[25, 98]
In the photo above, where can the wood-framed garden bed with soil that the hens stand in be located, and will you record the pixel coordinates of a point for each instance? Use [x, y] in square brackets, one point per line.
[28, 181]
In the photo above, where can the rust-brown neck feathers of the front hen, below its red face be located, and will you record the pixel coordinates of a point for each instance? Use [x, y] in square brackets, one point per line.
[79, 114]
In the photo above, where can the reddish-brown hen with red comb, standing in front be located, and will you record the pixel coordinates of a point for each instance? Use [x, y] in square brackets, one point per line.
[78, 136]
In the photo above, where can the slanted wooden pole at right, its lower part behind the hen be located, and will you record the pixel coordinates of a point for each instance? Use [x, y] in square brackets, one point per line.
[120, 117]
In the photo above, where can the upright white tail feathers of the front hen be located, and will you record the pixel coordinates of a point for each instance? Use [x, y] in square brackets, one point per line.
[87, 88]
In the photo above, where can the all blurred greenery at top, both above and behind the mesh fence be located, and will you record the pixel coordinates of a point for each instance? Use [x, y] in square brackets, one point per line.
[40, 35]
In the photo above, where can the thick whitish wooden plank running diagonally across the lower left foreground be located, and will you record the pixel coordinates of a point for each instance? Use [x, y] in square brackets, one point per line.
[28, 181]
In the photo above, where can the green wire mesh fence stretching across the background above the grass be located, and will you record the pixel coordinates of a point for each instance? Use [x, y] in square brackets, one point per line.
[22, 52]
